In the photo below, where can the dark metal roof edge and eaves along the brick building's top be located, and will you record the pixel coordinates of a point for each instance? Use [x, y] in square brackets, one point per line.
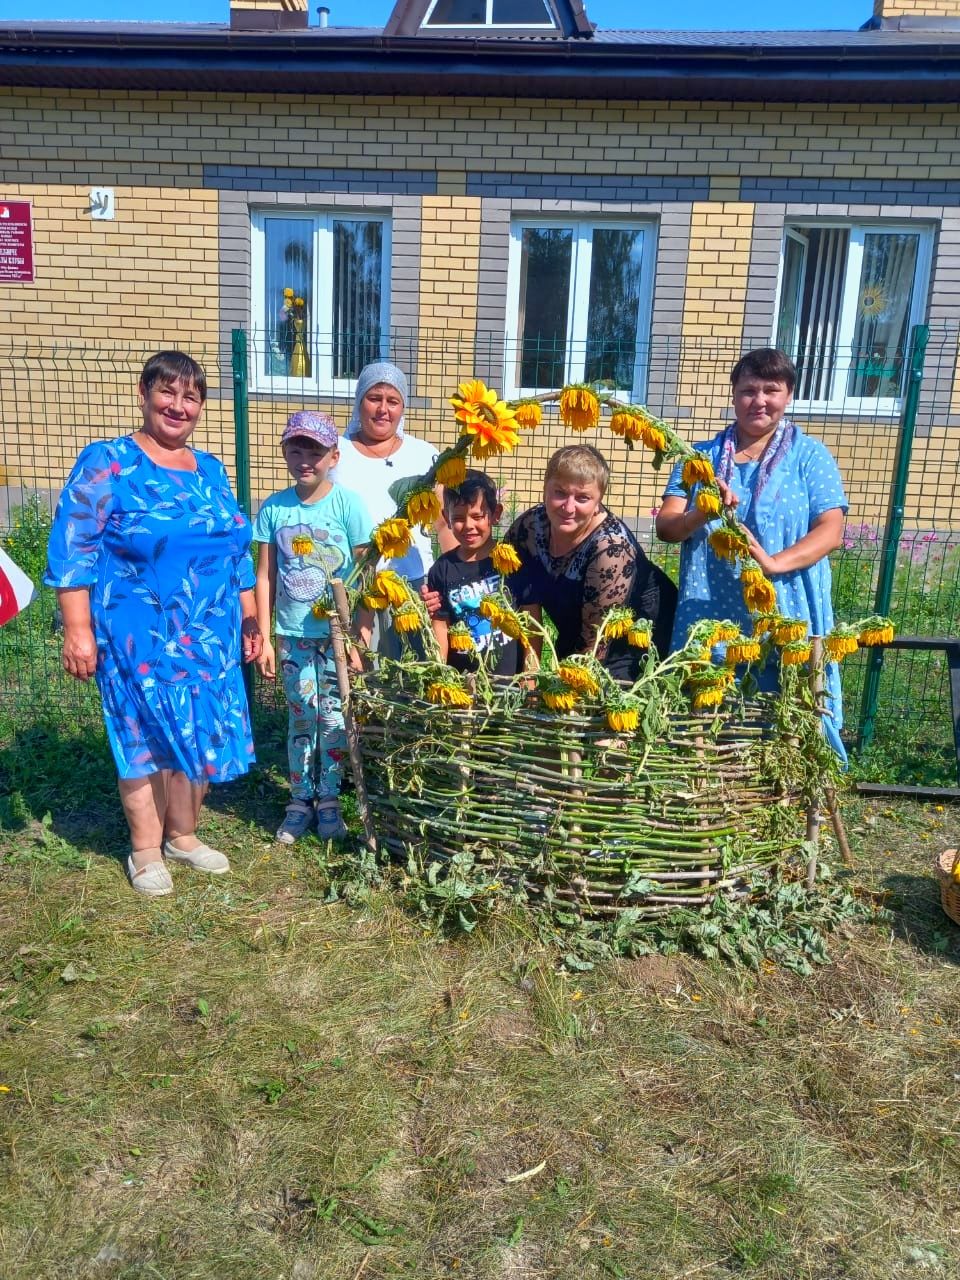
[876, 66]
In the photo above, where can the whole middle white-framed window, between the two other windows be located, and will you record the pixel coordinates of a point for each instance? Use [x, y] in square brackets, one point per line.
[579, 305]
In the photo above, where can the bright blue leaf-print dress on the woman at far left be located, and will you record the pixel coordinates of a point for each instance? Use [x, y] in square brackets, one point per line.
[166, 555]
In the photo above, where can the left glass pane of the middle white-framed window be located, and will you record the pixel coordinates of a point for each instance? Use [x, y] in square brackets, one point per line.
[545, 300]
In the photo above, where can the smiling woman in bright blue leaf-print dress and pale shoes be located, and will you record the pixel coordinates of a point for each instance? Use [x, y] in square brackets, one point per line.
[150, 557]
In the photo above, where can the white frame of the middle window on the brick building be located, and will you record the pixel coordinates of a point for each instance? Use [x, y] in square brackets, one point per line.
[579, 301]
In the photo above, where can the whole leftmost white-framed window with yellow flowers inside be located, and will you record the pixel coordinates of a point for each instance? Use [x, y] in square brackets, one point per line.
[319, 298]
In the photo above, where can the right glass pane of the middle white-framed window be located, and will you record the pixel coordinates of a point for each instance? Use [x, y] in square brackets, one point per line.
[614, 307]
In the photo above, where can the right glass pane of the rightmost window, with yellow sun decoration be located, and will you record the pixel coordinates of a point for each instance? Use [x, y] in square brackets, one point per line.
[886, 289]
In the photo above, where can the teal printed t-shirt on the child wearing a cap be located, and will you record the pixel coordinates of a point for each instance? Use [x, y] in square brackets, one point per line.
[316, 542]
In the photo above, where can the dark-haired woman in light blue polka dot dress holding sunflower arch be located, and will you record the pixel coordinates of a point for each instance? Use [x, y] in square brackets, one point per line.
[789, 495]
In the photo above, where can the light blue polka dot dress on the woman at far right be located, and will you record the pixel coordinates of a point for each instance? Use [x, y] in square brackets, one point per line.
[803, 486]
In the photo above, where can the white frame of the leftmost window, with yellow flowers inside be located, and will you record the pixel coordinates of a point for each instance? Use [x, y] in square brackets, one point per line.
[322, 381]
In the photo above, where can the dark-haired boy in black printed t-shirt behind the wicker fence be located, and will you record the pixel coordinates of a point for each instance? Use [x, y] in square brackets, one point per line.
[464, 577]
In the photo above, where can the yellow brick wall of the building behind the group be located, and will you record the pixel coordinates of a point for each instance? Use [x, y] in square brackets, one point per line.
[150, 277]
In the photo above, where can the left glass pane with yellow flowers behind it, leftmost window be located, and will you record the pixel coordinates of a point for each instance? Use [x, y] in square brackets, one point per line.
[289, 264]
